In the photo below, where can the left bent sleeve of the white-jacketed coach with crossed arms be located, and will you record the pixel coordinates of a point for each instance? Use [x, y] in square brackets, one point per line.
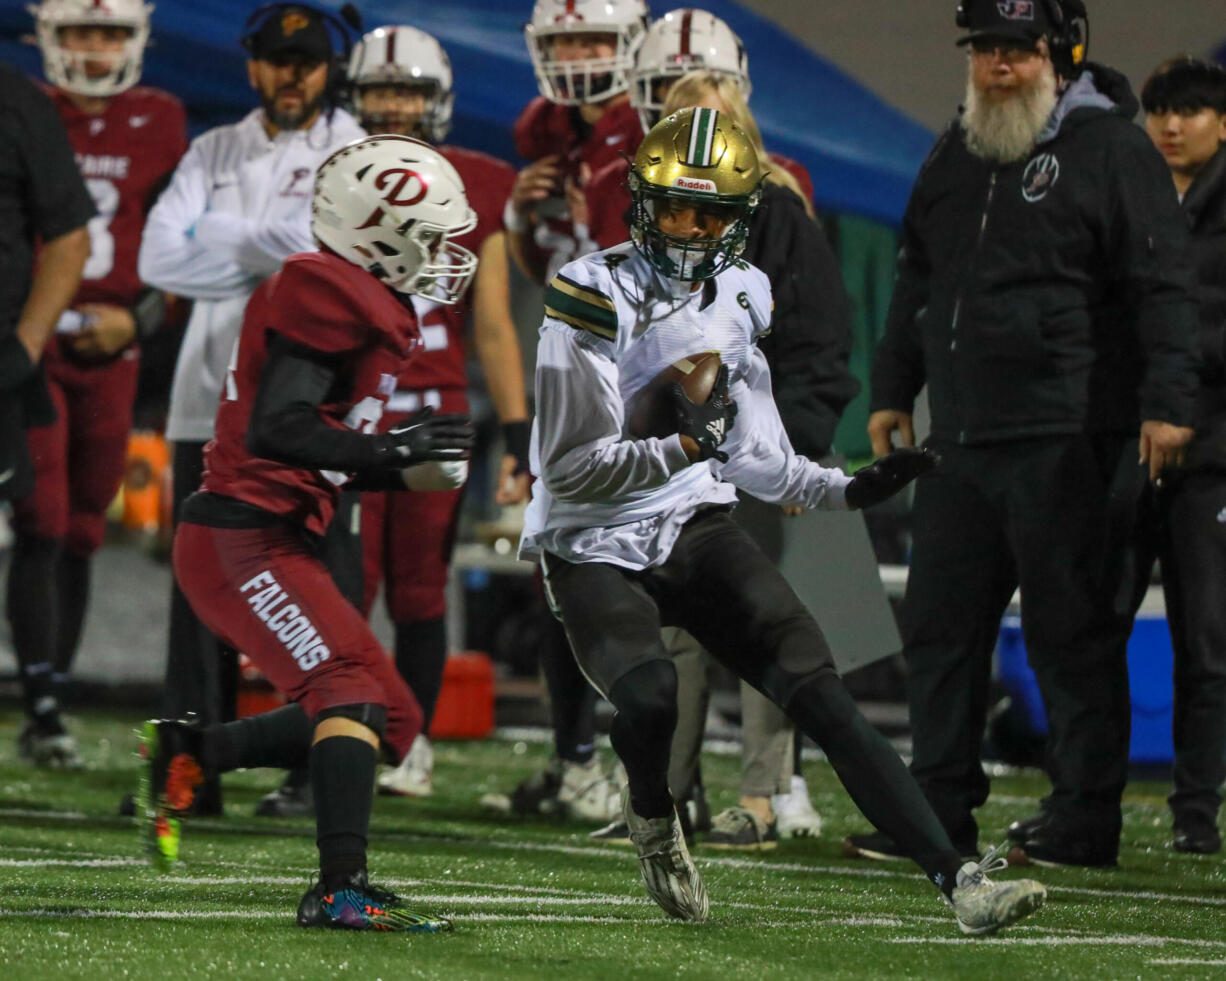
[171, 256]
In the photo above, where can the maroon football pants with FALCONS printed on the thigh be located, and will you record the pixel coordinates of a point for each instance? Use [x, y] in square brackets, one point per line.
[267, 593]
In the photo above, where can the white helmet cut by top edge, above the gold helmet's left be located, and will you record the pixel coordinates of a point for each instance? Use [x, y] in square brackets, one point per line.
[592, 79]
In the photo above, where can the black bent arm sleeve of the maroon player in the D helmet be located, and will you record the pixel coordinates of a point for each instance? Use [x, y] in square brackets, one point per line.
[286, 424]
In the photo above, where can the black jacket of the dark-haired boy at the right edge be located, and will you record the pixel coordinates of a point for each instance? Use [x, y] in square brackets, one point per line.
[1206, 209]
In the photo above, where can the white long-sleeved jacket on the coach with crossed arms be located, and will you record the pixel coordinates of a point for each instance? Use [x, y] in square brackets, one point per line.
[237, 208]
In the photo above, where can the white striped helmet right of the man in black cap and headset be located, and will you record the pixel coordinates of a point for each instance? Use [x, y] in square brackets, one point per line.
[405, 56]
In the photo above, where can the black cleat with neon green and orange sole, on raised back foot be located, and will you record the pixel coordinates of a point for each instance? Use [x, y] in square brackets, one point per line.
[172, 772]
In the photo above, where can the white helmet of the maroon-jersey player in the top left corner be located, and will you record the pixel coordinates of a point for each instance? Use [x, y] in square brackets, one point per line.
[66, 69]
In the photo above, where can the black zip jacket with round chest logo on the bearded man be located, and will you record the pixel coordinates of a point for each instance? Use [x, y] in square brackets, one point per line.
[1049, 296]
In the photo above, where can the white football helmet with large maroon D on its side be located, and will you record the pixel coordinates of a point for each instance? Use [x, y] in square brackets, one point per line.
[392, 205]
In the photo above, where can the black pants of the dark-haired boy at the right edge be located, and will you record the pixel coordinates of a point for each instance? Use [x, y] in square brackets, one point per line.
[1186, 532]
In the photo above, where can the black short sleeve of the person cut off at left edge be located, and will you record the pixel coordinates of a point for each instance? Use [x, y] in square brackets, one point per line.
[58, 199]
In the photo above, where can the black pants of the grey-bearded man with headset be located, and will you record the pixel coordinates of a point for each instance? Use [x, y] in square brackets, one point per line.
[1055, 517]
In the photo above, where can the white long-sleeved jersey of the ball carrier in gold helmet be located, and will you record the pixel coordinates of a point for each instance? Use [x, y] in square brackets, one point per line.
[612, 324]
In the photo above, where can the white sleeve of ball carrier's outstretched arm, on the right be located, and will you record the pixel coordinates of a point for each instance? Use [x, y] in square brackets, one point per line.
[761, 457]
